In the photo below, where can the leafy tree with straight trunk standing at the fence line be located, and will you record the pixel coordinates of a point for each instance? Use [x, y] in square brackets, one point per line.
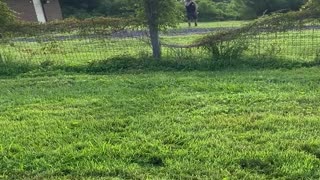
[157, 15]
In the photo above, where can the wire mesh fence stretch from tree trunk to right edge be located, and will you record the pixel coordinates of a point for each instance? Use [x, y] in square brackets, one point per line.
[298, 44]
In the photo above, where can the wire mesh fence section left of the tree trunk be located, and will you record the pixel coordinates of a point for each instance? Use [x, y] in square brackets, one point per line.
[71, 48]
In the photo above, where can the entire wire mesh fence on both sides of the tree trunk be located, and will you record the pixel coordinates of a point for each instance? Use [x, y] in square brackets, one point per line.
[300, 44]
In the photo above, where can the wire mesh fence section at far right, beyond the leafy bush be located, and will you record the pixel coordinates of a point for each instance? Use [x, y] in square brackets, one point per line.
[295, 45]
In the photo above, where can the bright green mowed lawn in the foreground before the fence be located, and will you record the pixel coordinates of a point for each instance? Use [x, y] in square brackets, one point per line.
[231, 124]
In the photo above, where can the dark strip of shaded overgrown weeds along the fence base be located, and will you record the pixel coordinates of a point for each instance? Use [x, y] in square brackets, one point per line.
[11, 68]
